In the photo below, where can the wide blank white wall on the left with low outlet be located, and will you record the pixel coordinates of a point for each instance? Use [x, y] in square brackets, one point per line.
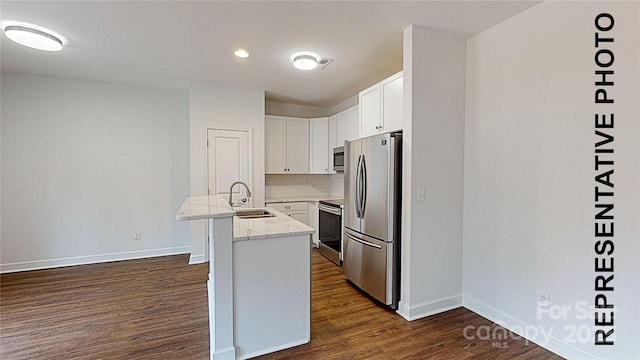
[84, 165]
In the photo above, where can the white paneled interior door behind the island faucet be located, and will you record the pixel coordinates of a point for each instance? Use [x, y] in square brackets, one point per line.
[229, 160]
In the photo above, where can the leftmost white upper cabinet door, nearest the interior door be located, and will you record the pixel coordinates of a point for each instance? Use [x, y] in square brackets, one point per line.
[275, 144]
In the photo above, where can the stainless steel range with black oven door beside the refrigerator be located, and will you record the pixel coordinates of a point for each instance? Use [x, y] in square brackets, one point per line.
[330, 223]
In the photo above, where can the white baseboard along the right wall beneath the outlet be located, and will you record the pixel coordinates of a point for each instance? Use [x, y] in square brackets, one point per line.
[545, 340]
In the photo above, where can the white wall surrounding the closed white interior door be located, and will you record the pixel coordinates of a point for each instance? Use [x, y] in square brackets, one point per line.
[223, 107]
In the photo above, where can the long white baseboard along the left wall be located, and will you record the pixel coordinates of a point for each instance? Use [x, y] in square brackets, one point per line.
[91, 259]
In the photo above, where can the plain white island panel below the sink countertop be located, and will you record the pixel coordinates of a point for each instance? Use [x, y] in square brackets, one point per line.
[271, 294]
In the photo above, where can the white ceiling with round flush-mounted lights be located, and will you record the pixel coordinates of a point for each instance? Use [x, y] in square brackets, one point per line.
[171, 43]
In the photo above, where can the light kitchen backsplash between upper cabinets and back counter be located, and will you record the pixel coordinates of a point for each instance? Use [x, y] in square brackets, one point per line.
[303, 185]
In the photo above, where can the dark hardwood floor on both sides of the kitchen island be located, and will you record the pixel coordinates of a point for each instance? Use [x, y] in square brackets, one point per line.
[157, 309]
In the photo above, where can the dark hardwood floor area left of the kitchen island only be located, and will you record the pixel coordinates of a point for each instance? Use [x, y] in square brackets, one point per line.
[139, 309]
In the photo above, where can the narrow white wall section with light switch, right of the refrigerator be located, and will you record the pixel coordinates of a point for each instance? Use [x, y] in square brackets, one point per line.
[434, 85]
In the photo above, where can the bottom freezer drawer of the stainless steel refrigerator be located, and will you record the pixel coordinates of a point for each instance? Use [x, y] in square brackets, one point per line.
[368, 263]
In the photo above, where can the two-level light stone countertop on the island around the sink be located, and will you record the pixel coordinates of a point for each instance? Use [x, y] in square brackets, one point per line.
[206, 207]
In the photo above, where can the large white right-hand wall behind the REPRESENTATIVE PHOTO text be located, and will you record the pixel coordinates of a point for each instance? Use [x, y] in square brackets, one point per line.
[529, 175]
